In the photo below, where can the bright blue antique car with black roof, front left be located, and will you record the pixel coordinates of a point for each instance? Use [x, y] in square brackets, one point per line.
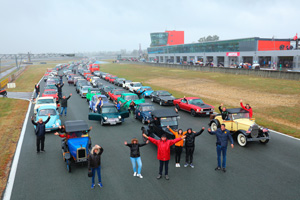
[77, 145]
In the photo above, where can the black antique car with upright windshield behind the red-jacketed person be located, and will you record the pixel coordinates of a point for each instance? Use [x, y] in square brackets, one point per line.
[165, 117]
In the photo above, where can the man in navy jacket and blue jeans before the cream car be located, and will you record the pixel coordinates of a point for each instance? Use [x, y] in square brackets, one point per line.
[223, 135]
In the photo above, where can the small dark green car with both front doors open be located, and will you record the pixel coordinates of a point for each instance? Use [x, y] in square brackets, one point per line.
[109, 114]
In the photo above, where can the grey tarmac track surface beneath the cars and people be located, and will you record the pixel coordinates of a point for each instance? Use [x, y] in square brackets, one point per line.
[256, 171]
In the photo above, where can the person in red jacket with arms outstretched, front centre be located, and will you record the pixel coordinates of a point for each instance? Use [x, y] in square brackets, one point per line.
[163, 152]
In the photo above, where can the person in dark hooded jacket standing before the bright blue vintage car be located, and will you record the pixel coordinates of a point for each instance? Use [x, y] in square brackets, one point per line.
[94, 164]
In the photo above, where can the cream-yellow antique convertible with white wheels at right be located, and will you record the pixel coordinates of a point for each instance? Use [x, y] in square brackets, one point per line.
[240, 125]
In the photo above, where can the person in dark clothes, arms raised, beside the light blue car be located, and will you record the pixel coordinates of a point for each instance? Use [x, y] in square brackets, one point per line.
[40, 131]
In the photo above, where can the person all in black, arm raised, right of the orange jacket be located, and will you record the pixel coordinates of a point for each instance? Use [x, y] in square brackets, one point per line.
[190, 146]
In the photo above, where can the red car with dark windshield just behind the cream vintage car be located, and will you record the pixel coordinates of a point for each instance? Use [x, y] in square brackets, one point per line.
[194, 105]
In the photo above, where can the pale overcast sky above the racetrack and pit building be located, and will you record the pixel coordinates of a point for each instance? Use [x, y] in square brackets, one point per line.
[68, 26]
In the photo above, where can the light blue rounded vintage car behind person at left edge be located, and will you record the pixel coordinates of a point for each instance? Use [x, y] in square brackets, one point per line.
[43, 111]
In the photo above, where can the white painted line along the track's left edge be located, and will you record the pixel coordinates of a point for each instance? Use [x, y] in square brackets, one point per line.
[14, 166]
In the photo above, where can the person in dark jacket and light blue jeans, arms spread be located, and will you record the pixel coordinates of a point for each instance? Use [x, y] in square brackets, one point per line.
[135, 156]
